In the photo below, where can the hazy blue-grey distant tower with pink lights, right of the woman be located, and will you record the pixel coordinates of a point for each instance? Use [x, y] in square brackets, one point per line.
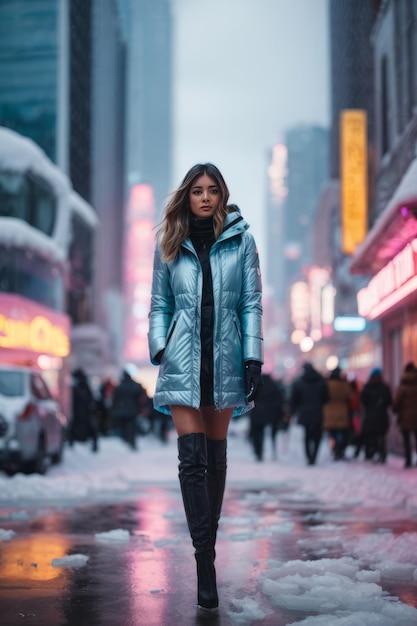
[296, 174]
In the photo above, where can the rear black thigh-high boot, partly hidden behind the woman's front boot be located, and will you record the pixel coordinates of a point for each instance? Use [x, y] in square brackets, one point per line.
[216, 480]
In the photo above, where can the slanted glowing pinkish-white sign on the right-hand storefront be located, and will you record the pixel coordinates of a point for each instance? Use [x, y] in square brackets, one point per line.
[393, 283]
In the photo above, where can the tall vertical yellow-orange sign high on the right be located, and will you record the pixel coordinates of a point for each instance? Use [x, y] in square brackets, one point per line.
[354, 169]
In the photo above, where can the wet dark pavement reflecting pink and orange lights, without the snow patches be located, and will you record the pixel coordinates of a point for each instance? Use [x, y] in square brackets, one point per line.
[148, 578]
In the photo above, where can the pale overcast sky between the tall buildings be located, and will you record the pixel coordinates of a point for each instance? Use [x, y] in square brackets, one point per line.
[244, 72]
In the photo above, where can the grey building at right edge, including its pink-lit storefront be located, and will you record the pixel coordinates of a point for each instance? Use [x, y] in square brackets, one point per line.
[388, 253]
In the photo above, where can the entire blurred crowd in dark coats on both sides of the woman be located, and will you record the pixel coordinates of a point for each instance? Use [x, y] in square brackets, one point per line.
[332, 406]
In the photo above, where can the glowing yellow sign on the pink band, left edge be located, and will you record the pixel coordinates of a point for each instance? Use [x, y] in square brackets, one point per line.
[38, 335]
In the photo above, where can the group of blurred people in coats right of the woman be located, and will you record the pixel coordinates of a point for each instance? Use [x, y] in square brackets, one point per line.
[349, 415]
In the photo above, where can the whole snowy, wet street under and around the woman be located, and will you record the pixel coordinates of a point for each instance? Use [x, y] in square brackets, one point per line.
[102, 540]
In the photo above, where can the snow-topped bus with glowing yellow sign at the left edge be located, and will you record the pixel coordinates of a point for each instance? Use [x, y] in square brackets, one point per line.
[46, 241]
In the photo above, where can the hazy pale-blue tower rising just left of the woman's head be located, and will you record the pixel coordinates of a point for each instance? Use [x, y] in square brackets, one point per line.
[149, 95]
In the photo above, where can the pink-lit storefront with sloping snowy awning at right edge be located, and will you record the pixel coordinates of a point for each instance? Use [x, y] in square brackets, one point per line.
[389, 254]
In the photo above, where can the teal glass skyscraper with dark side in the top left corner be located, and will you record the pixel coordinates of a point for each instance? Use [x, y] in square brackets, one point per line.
[45, 80]
